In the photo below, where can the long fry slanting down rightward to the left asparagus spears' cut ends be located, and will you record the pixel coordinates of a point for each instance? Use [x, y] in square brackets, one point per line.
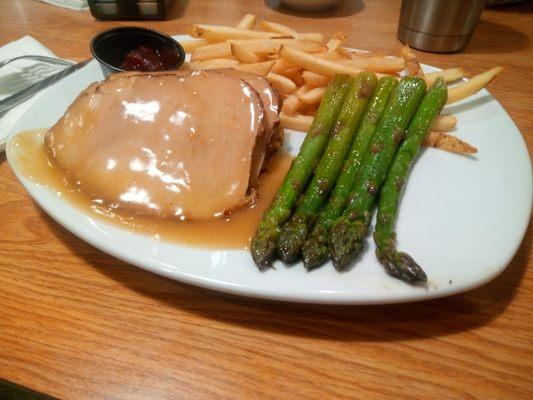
[315, 64]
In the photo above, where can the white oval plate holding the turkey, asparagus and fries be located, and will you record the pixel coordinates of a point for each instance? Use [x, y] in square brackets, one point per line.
[461, 218]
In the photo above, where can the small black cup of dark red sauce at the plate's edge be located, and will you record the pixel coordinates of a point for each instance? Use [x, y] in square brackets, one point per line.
[136, 49]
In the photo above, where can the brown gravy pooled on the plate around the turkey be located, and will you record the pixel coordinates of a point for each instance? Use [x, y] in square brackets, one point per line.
[32, 160]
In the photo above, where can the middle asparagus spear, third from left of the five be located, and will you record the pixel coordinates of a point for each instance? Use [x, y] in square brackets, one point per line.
[315, 249]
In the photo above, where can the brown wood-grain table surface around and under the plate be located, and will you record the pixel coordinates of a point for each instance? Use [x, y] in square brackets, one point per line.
[78, 324]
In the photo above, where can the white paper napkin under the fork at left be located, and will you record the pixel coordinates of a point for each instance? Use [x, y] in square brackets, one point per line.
[17, 75]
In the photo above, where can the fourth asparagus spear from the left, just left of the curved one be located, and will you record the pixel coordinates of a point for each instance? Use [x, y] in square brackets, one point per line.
[347, 233]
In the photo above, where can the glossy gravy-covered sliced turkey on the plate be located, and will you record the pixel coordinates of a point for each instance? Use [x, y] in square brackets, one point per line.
[188, 145]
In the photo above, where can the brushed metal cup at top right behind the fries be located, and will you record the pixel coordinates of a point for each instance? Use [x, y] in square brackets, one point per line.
[440, 26]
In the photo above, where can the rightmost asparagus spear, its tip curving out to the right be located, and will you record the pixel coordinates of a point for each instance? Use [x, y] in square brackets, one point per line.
[398, 264]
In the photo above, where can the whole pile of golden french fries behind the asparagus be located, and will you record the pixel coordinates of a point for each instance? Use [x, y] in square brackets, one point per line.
[300, 66]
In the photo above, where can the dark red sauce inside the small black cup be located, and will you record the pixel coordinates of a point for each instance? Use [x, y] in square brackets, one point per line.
[146, 58]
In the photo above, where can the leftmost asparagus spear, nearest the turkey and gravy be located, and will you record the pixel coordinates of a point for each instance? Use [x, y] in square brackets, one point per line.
[264, 242]
